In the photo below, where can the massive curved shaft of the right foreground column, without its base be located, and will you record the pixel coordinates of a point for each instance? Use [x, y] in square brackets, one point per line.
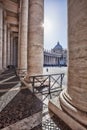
[77, 72]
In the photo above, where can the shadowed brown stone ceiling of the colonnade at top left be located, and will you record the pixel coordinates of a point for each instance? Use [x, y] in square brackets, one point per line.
[11, 13]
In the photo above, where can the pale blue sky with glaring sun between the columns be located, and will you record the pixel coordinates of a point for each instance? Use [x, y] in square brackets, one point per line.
[55, 23]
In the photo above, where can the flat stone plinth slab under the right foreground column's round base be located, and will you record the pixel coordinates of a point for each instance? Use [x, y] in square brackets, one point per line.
[55, 107]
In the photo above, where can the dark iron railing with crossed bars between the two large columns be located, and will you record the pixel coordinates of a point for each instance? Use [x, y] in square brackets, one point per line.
[47, 84]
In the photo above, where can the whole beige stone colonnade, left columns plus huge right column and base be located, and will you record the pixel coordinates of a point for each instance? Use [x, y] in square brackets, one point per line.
[22, 45]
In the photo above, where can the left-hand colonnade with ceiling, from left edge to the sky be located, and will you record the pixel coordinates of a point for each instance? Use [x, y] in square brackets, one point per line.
[21, 36]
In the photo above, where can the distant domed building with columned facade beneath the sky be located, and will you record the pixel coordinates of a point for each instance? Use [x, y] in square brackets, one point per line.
[56, 57]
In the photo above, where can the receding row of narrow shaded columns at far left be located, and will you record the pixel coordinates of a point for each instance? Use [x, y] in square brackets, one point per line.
[6, 42]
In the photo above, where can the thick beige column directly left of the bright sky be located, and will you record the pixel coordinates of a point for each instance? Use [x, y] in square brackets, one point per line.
[35, 44]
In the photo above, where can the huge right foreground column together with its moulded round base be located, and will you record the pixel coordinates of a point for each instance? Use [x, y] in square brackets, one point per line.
[73, 100]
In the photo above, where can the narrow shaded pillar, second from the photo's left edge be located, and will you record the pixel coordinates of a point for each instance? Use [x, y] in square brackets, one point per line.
[5, 46]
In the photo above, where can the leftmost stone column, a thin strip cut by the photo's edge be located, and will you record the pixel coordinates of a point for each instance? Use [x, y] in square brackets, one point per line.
[1, 36]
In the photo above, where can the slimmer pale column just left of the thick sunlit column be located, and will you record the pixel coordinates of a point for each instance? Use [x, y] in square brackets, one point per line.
[22, 63]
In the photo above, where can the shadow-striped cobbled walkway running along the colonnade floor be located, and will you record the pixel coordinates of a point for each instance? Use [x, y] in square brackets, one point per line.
[20, 109]
